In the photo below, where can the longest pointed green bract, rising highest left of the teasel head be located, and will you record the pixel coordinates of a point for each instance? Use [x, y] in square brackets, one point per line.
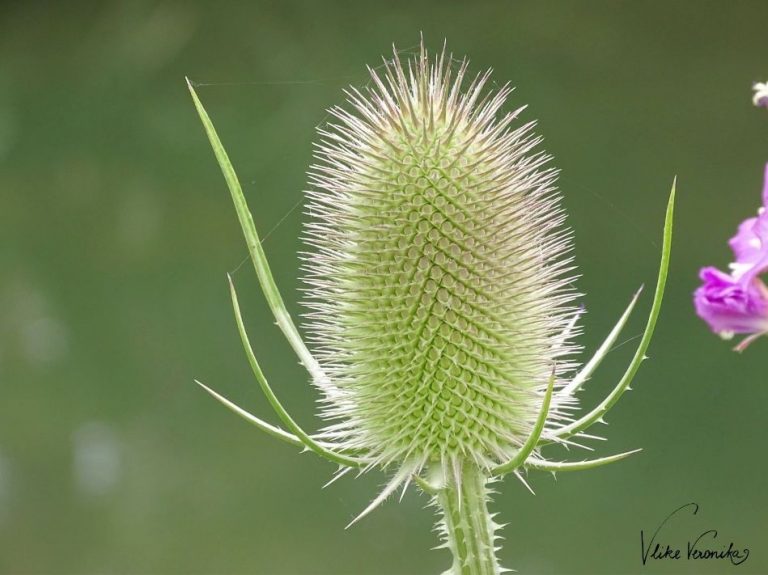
[259, 258]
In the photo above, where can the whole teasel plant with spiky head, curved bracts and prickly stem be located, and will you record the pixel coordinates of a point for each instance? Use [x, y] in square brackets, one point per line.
[441, 306]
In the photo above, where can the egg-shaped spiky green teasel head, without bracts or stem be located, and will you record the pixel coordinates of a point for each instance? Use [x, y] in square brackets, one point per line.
[440, 282]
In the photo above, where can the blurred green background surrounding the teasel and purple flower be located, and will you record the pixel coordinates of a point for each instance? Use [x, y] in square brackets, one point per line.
[116, 232]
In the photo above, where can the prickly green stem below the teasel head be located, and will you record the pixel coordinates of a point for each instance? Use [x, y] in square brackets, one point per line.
[467, 526]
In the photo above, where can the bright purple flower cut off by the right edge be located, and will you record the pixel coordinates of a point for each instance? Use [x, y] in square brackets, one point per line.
[738, 302]
